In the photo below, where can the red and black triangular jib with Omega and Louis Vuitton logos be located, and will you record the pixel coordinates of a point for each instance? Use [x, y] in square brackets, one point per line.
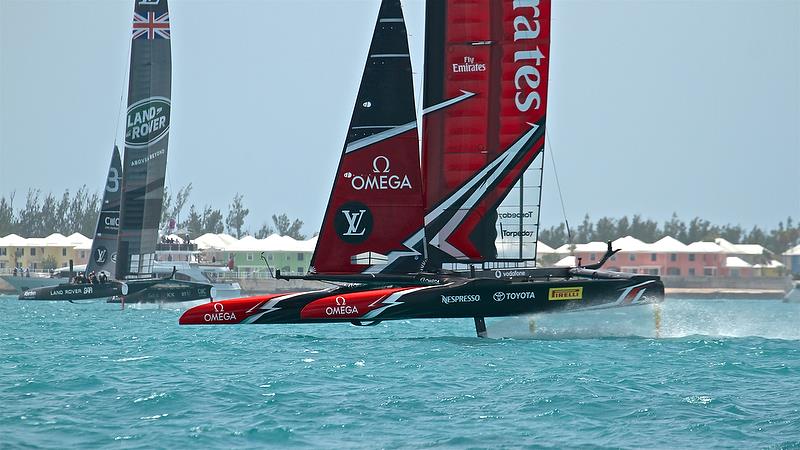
[374, 219]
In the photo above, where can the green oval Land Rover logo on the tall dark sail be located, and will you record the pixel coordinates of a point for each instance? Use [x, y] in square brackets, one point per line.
[148, 122]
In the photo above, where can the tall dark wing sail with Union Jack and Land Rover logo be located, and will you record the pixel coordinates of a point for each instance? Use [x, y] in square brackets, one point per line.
[146, 137]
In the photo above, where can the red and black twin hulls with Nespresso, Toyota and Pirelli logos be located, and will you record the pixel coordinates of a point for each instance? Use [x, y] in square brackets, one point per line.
[449, 298]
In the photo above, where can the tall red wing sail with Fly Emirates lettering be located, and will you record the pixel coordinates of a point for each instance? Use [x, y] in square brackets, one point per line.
[484, 114]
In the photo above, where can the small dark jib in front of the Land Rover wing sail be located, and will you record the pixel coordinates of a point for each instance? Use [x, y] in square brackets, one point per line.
[104, 247]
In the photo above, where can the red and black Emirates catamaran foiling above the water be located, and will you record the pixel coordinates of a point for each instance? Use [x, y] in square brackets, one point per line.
[450, 232]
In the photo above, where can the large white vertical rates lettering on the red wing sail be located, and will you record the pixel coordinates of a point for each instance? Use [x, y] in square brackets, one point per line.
[527, 78]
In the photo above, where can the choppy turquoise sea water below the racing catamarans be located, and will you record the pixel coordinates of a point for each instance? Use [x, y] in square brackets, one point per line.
[713, 374]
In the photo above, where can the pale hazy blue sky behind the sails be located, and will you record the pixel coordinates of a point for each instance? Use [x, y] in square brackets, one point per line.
[655, 107]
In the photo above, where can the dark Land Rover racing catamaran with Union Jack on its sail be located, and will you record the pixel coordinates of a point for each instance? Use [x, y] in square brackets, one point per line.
[127, 228]
